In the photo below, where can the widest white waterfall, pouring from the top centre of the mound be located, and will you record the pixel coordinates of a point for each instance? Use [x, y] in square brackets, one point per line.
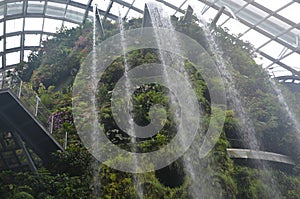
[201, 185]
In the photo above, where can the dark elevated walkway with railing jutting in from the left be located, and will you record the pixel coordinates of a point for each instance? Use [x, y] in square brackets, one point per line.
[23, 115]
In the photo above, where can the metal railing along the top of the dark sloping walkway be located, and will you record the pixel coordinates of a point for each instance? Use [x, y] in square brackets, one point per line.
[9, 80]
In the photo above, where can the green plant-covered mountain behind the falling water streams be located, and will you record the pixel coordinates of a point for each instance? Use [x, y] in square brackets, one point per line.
[74, 173]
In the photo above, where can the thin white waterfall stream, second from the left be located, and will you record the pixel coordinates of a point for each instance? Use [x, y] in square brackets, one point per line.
[128, 85]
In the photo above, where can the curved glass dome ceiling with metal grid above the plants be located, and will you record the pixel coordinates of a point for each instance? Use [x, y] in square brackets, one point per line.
[273, 27]
